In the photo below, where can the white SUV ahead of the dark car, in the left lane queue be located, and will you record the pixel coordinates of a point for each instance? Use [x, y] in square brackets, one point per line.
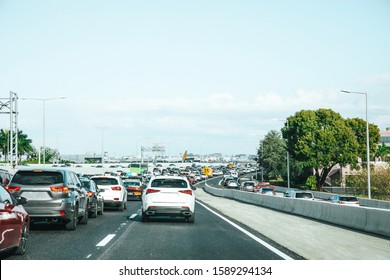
[114, 192]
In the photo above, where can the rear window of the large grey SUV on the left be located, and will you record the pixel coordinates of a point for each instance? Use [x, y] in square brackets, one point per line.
[38, 178]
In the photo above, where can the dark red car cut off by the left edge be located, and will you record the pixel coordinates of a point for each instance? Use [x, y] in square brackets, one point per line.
[14, 223]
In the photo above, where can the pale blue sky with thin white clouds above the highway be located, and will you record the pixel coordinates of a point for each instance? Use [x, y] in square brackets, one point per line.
[207, 76]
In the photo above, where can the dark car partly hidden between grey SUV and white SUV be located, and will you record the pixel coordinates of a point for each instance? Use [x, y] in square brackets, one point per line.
[95, 201]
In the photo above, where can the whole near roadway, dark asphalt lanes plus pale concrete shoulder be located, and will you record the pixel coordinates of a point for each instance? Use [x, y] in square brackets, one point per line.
[223, 230]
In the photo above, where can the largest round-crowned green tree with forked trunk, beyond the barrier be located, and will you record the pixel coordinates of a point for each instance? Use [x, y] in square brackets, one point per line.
[320, 139]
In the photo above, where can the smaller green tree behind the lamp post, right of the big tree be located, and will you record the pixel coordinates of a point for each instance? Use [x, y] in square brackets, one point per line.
[359, 128]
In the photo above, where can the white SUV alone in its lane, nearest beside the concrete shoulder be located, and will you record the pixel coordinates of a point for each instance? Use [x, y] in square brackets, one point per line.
[168, 196]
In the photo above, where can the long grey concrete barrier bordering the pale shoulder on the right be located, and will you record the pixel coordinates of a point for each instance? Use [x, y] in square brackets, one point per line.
[371, 220]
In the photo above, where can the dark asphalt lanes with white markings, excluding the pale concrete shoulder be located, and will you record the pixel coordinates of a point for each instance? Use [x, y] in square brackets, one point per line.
[122, 236]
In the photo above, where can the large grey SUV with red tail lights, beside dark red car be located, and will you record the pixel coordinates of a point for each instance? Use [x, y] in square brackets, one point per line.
[54, 195]
